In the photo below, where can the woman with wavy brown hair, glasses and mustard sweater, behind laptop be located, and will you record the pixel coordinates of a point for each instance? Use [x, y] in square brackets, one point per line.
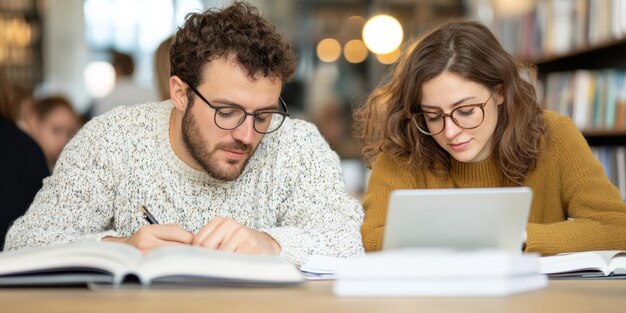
[458, 112]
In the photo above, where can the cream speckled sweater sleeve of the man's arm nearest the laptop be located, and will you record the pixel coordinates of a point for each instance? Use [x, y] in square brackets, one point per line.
[317, 216]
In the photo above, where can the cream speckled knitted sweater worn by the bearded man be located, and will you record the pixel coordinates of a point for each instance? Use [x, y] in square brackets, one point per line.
[291, 189]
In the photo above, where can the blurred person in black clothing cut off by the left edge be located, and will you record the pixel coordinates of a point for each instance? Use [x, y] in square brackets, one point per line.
[22, 164]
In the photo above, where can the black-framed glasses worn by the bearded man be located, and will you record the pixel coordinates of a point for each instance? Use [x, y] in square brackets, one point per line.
[230, 117]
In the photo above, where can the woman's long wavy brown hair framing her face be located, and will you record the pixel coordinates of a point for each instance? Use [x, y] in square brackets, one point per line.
[470, 50]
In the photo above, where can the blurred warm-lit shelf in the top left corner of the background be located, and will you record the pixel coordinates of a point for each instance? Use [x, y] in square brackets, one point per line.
[20, 42]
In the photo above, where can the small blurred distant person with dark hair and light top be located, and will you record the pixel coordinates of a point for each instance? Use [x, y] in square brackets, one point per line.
[126, 90]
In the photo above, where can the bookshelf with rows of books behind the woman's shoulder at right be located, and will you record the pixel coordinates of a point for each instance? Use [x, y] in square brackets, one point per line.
[579, 50]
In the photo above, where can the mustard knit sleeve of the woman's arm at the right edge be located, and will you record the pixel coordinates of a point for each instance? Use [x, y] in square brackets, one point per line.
[593, 204]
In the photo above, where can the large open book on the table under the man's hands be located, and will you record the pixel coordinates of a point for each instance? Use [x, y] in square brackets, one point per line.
[116, 264]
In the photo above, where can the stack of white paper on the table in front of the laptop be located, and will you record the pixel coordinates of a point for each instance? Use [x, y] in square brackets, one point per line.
[439, 273]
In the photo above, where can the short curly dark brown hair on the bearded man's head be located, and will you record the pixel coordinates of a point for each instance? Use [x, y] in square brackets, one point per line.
[237, 30]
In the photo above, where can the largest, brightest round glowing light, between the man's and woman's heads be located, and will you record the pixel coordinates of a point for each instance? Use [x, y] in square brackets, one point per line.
[382, 34]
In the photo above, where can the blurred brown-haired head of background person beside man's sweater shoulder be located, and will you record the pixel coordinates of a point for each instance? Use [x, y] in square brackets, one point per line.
[51, 122]
